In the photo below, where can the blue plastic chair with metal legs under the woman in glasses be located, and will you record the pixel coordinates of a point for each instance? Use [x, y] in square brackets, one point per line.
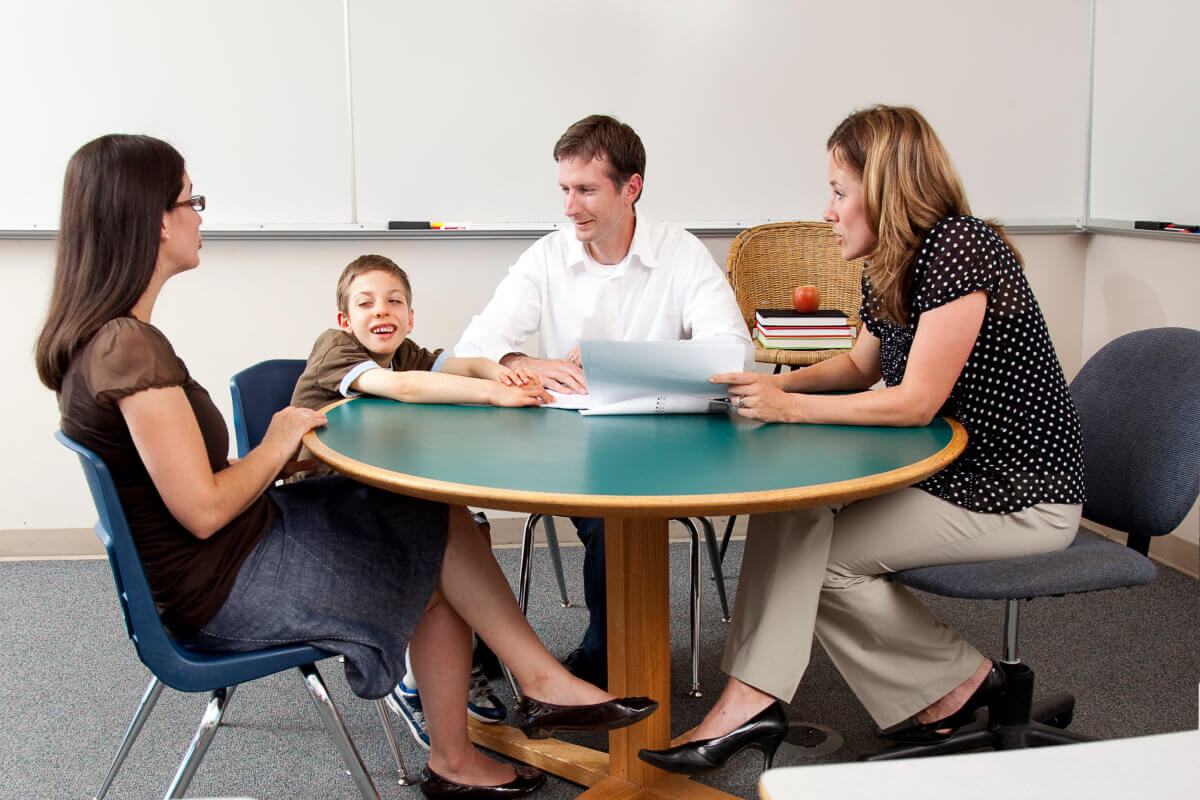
[187, 670]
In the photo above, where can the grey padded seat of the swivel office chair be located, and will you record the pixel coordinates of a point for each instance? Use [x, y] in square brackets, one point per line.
[1084, 567]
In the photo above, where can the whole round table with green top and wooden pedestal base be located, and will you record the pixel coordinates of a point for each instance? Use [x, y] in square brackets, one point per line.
[637, 472]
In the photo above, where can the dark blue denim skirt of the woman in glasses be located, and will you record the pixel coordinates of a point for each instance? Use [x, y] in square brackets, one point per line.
[345, 568]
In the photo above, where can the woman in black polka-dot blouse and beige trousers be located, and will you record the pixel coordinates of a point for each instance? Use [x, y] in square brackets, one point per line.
[952, 327]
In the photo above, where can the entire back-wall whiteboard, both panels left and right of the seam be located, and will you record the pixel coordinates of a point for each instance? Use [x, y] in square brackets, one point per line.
[295, 119]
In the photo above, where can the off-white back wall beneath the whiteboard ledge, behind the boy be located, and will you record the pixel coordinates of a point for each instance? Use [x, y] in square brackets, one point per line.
[254, 300]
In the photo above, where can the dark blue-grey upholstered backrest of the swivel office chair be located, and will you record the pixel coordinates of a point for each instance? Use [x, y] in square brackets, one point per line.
[1139, 408]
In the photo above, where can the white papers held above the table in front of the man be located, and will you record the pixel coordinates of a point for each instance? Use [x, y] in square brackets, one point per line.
[653, 377]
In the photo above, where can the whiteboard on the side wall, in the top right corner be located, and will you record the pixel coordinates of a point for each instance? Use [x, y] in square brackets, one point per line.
[1147, 118]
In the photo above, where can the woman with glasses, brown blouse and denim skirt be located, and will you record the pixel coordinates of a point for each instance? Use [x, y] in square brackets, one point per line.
[236, 563]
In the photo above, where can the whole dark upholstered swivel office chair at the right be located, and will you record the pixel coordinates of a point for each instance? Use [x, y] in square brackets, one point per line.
[1139, 407]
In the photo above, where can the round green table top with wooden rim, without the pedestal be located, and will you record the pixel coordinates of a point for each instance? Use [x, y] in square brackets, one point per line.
[559, 461]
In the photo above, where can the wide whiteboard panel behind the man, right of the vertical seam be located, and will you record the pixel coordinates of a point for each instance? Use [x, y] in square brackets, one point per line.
[458, 105]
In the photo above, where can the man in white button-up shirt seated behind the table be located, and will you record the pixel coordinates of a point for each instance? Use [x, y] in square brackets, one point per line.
[615, 275]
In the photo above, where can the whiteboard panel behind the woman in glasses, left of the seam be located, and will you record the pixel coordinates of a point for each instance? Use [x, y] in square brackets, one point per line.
[253, 93]
